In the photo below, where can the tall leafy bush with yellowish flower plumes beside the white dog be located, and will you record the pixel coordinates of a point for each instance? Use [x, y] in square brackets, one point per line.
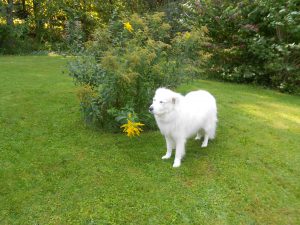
[128, 59]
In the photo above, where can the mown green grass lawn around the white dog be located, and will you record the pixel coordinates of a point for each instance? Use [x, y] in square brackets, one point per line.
[54, 170]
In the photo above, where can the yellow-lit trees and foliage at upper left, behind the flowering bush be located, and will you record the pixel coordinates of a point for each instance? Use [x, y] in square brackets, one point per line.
[37, 25]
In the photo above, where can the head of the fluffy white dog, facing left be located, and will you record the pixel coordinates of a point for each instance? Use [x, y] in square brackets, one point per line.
[164, 101]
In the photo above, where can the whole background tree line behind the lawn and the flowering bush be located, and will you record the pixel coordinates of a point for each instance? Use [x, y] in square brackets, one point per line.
[251, 41]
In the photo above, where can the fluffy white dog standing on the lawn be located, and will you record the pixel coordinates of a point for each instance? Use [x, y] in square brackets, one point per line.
[180, 117]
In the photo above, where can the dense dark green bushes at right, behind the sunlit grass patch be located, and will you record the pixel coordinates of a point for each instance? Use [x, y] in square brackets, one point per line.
[252, 41]
